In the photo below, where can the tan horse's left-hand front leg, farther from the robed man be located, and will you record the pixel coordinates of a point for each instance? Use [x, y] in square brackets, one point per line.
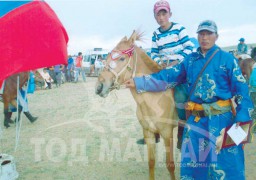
[151, 145]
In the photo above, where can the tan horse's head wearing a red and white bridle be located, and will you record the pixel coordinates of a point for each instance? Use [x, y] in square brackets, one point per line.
[119, 65]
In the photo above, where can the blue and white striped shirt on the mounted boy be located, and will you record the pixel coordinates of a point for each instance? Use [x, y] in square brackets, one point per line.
[172, 44]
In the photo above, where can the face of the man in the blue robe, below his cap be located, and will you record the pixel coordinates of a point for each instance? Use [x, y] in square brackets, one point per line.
[206, 40]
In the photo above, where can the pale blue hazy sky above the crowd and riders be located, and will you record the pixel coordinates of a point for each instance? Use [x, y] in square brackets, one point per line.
[103, 23]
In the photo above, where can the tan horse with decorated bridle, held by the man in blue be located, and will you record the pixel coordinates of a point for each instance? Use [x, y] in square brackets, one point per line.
[155, 111]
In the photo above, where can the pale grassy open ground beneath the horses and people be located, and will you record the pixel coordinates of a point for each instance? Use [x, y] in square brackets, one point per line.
[82, 136]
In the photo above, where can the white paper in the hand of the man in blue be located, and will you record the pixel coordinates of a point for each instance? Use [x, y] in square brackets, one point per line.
[237, 134]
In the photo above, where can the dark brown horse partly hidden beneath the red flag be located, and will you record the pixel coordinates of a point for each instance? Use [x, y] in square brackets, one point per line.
[10, 93]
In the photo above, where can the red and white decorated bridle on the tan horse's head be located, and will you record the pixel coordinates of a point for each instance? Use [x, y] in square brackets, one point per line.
[115, 55]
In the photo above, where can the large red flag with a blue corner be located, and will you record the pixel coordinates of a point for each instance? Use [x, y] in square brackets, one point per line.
[31, 37]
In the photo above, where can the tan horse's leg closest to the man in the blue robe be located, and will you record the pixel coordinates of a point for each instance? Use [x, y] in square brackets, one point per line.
[169, 142]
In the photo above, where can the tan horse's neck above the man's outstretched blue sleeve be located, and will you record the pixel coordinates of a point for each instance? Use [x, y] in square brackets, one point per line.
[145, 65]
